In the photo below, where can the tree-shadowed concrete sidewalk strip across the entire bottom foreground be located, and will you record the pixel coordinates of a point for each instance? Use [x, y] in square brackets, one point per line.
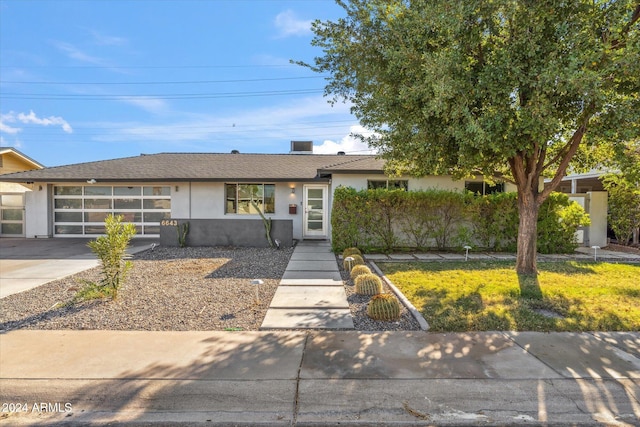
[296, 378]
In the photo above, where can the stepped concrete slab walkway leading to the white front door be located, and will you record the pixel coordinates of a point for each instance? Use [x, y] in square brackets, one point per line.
[311, 293]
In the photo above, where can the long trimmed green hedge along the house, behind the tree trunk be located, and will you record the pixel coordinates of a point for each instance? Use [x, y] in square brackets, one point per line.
[381, 220]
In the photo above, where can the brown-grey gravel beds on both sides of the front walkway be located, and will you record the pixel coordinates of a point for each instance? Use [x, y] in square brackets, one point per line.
[175, 289]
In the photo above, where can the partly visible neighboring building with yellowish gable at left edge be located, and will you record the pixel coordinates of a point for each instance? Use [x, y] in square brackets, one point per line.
[12, 195]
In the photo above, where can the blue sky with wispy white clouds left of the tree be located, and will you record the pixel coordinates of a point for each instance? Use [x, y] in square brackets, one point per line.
[85, 80]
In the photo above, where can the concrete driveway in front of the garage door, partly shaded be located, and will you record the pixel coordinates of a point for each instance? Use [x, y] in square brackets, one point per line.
[27, 263]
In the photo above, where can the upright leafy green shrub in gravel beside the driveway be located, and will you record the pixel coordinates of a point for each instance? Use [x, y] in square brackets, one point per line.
[111, 250]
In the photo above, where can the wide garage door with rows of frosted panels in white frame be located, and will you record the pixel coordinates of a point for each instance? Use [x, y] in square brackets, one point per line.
[81, 210]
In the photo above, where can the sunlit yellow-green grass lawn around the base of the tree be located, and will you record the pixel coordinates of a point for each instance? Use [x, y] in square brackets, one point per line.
[490, 296]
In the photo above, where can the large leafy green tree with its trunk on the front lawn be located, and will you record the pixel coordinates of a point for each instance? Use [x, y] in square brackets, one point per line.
[513, 90]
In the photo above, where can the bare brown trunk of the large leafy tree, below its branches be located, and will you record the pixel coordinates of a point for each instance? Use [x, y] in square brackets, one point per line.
[526, 254]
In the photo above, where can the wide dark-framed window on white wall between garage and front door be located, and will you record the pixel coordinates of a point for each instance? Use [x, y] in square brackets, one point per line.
[243, 198]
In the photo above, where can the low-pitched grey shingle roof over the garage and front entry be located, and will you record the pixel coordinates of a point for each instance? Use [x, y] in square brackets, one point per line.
[206, 167]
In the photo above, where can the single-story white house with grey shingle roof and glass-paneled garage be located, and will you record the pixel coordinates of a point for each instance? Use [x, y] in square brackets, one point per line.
[217, 193]
